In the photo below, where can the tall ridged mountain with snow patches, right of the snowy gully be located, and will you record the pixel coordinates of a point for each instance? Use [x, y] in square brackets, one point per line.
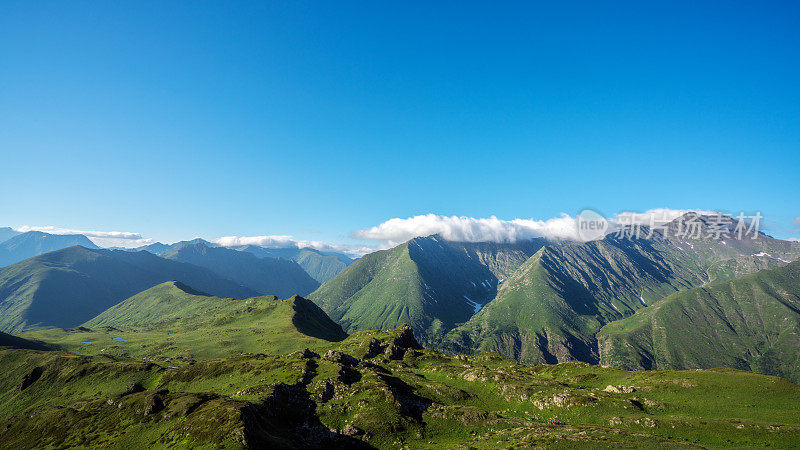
[551, 308]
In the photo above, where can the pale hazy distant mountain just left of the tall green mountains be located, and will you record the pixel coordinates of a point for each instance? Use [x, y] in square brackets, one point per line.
[320, 266]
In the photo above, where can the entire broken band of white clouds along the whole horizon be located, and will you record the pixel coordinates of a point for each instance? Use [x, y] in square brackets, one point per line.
[395, 231]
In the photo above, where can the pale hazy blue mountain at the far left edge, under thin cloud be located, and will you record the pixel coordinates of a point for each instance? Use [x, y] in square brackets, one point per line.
[33, 243]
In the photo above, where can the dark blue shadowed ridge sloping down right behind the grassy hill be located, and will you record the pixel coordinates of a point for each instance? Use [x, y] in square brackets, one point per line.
[279, 277]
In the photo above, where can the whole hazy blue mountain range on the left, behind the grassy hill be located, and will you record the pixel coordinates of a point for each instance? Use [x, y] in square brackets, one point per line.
[61, 280]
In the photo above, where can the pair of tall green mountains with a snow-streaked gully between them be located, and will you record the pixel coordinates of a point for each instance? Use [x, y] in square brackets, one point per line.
[544, 302]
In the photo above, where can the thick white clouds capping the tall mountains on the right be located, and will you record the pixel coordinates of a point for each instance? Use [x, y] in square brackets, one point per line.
[470, 229]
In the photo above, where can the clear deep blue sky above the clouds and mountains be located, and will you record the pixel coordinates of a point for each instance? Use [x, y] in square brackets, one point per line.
[318, 119]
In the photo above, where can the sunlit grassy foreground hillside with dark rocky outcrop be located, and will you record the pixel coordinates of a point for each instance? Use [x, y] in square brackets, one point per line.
[379, 390]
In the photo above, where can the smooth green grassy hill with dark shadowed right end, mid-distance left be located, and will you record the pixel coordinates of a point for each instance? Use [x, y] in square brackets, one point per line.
[172, 322]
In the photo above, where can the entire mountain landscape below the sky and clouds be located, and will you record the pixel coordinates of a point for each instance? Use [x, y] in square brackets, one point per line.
[668, 341]
